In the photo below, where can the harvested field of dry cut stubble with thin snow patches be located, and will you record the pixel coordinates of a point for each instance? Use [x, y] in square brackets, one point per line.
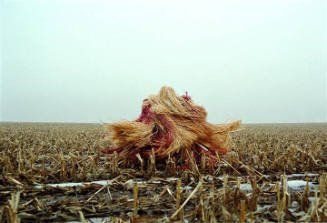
[275, 172]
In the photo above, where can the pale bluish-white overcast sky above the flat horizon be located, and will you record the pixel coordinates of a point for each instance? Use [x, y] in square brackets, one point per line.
[96, 60]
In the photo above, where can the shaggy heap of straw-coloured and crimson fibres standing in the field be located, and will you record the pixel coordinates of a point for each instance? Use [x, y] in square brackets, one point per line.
[169, 126]
